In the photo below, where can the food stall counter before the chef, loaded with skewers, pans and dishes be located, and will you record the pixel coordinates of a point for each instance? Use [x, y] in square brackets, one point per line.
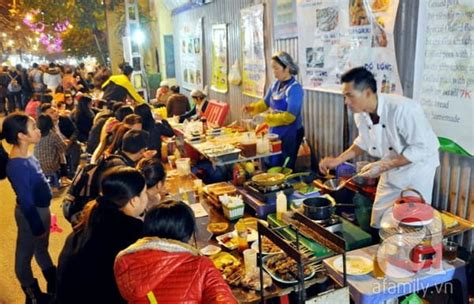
[292, 238]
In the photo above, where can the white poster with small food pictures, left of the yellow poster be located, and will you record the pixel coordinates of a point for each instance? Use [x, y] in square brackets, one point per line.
[191, 56]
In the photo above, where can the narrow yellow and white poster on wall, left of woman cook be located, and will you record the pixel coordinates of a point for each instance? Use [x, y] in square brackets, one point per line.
[219, 58]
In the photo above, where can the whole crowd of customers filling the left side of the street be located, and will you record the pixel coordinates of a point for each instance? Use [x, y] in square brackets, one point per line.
[125, 229]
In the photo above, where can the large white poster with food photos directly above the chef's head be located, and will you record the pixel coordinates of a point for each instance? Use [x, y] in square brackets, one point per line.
[347, 34]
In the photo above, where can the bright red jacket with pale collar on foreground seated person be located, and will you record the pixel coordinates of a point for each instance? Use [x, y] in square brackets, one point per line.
[170, 272]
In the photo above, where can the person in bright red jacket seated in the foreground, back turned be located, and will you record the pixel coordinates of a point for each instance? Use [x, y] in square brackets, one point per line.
[164, 268]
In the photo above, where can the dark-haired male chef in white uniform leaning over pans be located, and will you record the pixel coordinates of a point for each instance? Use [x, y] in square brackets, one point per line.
[394, 129]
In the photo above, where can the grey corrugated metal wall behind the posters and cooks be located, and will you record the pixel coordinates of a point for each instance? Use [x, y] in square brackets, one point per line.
[324, 112]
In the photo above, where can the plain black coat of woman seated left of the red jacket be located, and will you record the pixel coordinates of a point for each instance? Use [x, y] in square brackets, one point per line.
[85, 270]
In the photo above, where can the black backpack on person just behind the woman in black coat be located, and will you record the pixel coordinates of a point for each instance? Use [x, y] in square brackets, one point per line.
[84, 188]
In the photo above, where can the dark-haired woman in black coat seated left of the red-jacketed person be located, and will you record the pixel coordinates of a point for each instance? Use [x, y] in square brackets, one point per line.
[110, 223]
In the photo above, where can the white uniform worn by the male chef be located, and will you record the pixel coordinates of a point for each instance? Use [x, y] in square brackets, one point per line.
[402, 129]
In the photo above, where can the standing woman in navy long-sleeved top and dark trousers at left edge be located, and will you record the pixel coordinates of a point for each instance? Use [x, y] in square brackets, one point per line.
[32, 214]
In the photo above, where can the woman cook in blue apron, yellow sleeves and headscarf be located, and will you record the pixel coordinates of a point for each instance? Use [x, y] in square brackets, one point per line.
[285, 100]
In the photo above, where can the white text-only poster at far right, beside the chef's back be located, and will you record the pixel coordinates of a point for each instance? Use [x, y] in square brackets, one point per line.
[444, 71]
